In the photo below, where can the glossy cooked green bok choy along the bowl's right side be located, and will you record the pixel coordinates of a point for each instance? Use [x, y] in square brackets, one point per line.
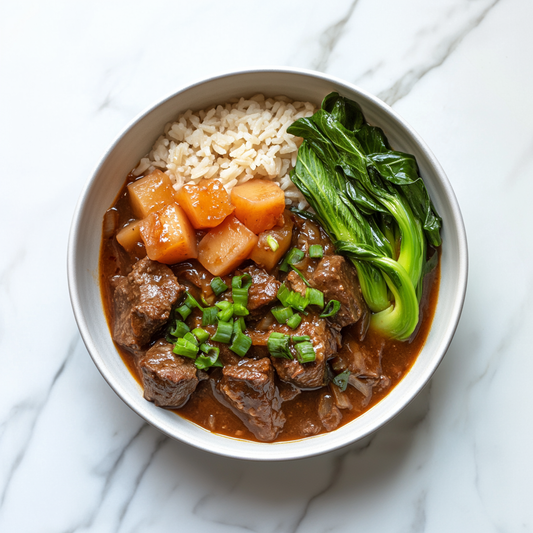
[373, 204]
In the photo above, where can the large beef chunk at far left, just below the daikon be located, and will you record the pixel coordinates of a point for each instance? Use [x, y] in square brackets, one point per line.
[143, 301]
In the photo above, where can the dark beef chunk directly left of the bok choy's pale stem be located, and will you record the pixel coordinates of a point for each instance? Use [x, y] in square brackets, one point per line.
[337, 279]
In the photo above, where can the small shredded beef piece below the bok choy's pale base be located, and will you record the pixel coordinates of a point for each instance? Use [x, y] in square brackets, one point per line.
[360, 360]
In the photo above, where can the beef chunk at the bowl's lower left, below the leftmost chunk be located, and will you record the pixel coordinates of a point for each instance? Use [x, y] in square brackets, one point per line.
[168, 379]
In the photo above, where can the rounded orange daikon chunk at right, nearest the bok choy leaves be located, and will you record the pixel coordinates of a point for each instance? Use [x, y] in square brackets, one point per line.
[258, 204]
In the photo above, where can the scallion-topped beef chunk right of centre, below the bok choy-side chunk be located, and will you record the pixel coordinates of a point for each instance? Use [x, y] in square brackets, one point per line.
[325, 341]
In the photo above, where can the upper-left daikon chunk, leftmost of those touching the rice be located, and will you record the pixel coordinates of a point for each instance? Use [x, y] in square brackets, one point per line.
[150, 193]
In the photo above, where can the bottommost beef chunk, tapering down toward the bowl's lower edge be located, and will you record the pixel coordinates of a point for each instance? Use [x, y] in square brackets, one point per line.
[248, 389]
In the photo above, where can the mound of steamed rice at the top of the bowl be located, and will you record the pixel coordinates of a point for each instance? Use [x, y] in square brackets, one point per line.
[233, 142]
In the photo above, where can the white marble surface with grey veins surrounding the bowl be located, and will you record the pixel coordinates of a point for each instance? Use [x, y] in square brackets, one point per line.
[74, 458]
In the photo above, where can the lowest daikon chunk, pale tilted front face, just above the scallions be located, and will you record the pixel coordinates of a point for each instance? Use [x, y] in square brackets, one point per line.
[225, 247]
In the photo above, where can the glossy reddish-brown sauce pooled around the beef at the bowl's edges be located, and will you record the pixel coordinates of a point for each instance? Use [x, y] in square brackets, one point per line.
[204, 410]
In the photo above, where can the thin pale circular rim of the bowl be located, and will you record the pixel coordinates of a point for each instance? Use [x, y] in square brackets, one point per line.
[455, 312]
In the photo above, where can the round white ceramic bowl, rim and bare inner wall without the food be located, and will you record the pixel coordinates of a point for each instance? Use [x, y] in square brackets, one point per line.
[135, 141]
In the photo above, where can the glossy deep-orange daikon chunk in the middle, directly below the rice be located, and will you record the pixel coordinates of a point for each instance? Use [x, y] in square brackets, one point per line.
[206, 204]
